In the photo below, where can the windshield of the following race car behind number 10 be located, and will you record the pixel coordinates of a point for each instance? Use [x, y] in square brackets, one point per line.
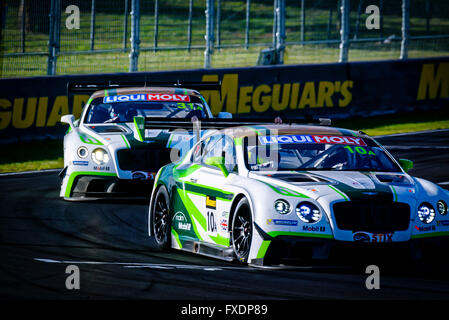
[123, 108]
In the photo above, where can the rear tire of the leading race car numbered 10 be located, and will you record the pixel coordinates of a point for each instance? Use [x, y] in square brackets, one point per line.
[160, 219]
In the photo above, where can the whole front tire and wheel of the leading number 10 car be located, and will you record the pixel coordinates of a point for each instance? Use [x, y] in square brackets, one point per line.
[242, 230]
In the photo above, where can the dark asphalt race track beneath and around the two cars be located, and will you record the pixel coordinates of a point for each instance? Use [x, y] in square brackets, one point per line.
[40, 235]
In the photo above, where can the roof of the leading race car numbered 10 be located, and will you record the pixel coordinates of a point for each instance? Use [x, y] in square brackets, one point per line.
[277, 129]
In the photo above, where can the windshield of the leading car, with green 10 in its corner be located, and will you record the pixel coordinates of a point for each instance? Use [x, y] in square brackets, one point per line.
[316, 152]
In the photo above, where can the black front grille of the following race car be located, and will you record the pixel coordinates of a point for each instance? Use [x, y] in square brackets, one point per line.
[148, 160]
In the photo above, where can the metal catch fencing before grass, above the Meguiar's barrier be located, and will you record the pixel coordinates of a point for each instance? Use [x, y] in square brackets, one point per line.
[57, 37]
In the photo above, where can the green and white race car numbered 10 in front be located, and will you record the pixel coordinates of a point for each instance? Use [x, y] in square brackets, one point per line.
[263, 194]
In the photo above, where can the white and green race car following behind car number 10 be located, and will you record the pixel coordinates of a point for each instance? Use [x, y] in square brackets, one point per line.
[112, 152]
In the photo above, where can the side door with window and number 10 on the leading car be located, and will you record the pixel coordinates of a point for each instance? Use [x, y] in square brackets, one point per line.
[207, 188]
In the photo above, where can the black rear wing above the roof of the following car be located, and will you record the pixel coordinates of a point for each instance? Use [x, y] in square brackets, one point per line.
[92, 87]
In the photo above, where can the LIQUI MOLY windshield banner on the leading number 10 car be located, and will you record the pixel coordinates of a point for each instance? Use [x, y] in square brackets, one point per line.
[328, 139]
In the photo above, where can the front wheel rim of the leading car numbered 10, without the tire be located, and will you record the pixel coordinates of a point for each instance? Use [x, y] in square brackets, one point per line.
[241, 233]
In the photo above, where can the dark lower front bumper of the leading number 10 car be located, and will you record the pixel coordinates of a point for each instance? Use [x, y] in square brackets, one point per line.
[292, 250]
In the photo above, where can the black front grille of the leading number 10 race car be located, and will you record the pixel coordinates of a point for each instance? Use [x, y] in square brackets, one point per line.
[372, 216]
